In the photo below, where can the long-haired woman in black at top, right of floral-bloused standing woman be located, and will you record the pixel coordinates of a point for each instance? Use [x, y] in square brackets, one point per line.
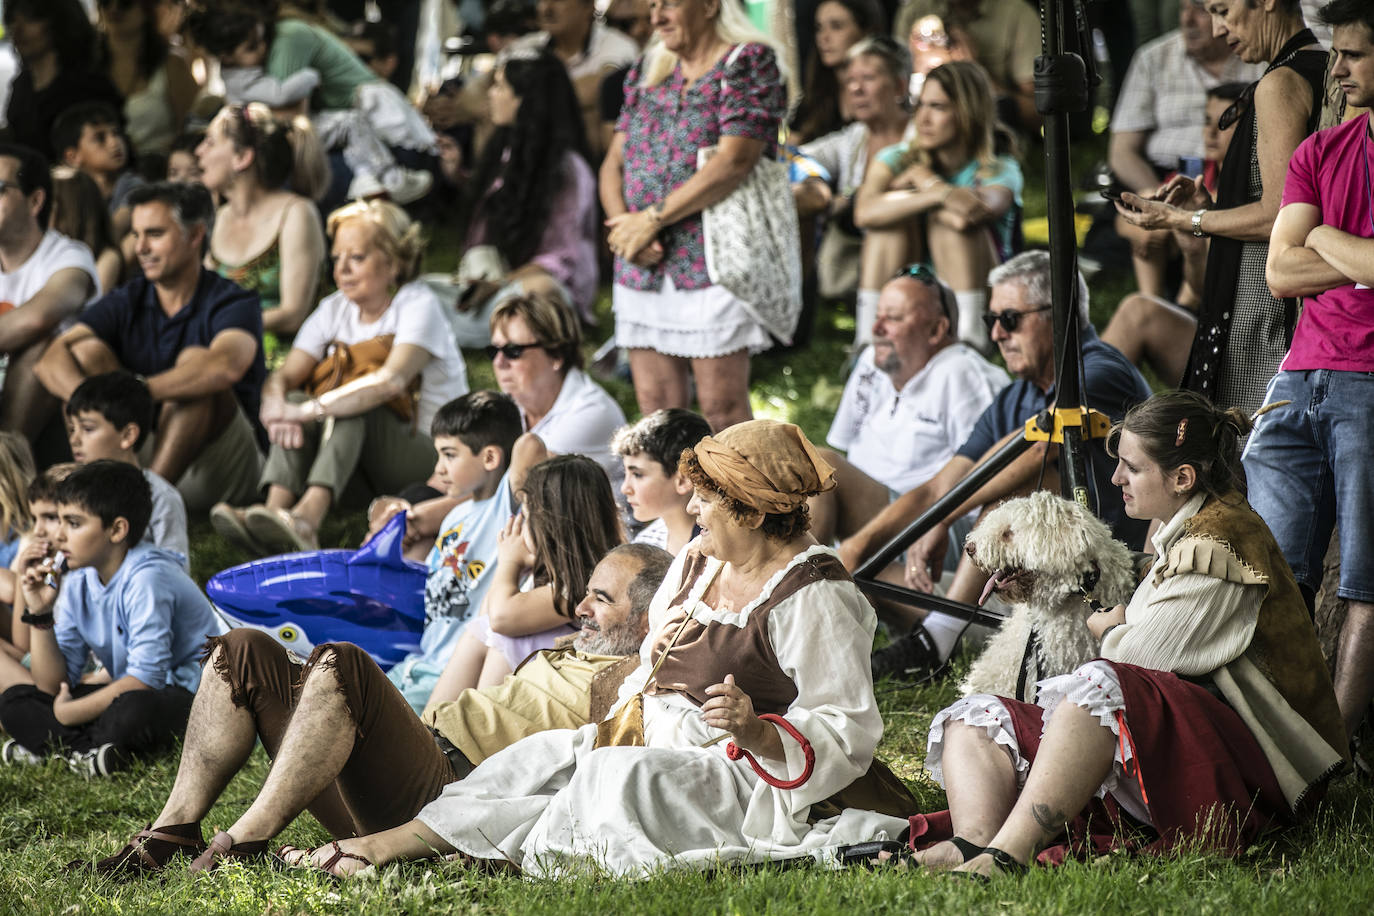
[840, 27]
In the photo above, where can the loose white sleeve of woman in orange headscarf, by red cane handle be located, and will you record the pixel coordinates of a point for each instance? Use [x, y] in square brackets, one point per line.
[822, 638]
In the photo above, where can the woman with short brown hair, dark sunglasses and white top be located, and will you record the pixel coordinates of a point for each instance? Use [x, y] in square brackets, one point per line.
[537, 354]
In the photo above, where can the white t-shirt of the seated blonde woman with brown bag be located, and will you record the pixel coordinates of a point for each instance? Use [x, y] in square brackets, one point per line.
[414, 317]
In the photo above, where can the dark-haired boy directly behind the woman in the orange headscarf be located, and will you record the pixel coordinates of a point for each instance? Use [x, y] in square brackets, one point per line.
[656, 491]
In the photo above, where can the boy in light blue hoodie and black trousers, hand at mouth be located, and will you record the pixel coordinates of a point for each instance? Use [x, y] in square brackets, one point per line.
[130, 605]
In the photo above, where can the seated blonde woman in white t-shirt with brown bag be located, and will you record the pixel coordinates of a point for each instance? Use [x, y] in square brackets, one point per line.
[374, 421]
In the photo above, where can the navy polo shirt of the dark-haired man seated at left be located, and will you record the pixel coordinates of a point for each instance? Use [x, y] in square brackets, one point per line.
[148, 341]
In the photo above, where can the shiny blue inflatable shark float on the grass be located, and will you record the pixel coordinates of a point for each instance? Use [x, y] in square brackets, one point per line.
[373, 598]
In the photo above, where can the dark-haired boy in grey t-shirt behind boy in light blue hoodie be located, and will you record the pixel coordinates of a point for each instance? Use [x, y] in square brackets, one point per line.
[109, 417]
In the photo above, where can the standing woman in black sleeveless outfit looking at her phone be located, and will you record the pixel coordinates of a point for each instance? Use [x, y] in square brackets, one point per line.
[1243, 330]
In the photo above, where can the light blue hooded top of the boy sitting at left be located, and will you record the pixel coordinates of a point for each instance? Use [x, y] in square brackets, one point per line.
[150, 621]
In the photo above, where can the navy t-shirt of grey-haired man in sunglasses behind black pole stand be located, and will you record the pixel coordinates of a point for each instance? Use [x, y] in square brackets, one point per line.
[1111, 385]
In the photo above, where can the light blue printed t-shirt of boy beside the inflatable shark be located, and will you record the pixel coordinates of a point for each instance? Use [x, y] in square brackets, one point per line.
[460, 573]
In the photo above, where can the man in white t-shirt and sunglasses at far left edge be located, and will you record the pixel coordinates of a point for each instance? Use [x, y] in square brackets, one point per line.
[45, 279]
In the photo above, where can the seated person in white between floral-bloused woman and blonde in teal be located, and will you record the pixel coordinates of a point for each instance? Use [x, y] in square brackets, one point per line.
[875, 83]
